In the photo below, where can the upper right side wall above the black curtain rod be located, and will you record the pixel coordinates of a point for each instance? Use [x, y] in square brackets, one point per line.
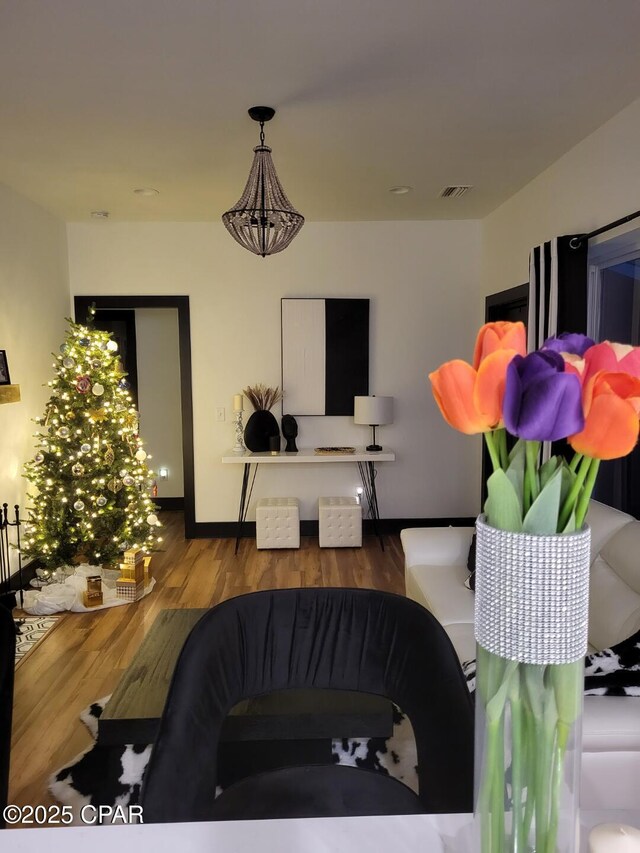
[596, 182]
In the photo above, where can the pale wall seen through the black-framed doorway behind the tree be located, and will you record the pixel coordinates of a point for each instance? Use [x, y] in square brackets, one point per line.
[159, 402]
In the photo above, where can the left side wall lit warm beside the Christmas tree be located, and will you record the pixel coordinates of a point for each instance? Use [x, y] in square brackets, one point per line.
[34, 300]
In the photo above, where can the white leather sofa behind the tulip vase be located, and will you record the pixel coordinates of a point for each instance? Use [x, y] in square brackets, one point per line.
[435, 572]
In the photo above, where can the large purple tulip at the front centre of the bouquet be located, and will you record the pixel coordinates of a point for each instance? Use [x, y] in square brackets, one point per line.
[541, 401]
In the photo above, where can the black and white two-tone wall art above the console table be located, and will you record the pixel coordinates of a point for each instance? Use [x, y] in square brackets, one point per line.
[325, 355]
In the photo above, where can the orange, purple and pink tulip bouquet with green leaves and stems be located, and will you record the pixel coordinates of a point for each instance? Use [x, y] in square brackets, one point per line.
[589, 394]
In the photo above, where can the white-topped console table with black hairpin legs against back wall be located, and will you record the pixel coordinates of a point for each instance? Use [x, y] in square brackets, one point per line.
[365, 461]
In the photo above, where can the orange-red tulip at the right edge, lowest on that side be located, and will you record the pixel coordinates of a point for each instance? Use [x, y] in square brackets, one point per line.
[612, 416]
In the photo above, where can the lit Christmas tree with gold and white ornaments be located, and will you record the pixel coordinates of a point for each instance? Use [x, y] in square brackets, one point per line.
[89, 469]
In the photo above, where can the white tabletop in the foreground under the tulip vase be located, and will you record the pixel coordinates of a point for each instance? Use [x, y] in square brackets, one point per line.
[397, 834]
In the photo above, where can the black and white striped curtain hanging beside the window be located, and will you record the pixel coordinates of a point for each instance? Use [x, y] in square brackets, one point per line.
[557, 289]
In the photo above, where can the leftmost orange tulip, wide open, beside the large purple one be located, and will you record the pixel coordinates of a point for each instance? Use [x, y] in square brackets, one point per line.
[471, 400]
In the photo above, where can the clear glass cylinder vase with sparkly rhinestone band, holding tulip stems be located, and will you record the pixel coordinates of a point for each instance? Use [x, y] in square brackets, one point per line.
[531, 611]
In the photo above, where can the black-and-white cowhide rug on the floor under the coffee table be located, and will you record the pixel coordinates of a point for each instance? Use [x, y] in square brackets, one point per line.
[112, 775]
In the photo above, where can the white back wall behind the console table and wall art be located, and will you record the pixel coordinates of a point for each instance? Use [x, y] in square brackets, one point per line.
[423, 282]
